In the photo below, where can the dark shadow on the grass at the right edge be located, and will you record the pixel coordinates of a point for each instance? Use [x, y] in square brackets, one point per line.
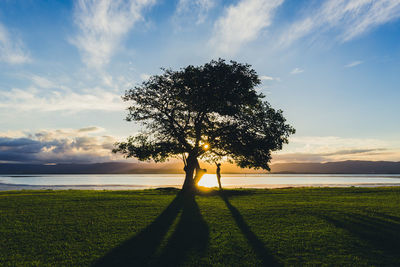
[379, 235]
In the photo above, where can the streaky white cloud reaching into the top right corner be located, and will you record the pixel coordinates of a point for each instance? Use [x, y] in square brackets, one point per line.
[348, 19]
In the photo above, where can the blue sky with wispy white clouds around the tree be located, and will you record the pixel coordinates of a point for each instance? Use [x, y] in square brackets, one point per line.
[332, 66]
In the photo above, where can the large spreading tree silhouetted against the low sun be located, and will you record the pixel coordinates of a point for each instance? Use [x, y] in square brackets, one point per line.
[211, 111]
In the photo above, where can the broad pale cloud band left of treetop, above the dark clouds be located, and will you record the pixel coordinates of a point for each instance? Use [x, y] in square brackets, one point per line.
[72, 93]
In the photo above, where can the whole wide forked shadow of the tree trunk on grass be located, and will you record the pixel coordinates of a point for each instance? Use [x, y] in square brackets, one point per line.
[190, 236]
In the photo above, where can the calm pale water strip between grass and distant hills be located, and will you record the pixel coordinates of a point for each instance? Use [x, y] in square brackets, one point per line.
[142, 181]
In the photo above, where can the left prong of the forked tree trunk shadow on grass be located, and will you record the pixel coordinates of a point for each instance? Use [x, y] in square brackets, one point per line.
[138, 250]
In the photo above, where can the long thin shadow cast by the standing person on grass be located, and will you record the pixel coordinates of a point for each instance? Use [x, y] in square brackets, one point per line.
[257, 245]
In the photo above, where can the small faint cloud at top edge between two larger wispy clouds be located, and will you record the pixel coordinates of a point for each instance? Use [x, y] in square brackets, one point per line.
[192, 10]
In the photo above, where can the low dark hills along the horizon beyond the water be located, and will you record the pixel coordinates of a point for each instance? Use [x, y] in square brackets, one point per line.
[342, 167]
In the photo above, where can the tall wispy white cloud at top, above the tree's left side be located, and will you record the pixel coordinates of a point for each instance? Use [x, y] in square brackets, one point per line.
[102, 25]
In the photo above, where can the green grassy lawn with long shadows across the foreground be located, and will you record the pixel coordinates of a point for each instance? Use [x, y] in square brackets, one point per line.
[309, 226]
